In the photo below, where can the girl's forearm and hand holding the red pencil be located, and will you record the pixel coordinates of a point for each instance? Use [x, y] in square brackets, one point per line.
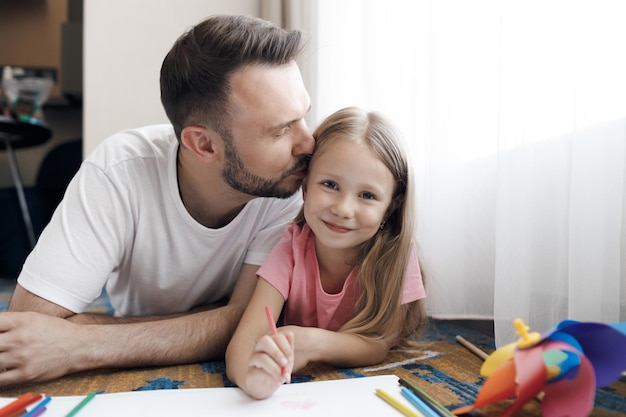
[255, 360]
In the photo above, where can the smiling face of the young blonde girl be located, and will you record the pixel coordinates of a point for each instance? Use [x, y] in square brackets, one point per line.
[346, 194]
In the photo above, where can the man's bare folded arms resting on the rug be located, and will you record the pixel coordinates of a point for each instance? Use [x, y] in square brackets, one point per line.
[40, 340]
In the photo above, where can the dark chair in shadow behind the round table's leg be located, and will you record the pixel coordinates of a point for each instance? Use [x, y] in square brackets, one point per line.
[56, 170]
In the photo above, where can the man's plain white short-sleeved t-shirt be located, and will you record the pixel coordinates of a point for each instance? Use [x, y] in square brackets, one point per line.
[122, 224]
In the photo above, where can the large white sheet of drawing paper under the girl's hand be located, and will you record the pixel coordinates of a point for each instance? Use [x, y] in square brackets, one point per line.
[344, 397]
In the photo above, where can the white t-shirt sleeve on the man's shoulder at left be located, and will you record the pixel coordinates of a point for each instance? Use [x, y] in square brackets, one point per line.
[62, 268]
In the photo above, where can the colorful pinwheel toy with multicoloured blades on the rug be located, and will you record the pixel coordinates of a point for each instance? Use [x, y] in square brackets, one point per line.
[564, 366]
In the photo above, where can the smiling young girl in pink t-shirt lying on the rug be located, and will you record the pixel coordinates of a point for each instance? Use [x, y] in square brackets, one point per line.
[346, 272]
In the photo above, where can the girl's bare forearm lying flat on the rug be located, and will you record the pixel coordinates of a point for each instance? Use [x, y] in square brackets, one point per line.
[343, 350]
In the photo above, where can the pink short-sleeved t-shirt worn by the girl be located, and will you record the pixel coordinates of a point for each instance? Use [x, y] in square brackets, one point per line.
[292, 269]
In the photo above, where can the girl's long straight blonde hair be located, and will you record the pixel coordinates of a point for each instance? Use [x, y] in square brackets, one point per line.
[382, 260]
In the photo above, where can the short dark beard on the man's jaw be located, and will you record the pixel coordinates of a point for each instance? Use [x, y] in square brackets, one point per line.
[240, 179]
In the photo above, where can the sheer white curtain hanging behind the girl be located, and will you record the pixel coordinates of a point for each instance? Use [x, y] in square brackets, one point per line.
[515, 114]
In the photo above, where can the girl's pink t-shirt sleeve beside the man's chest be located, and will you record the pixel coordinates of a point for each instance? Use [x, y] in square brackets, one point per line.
[278, 267]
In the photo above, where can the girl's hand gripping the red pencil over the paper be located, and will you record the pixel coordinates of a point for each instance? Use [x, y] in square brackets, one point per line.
[270, 365]
